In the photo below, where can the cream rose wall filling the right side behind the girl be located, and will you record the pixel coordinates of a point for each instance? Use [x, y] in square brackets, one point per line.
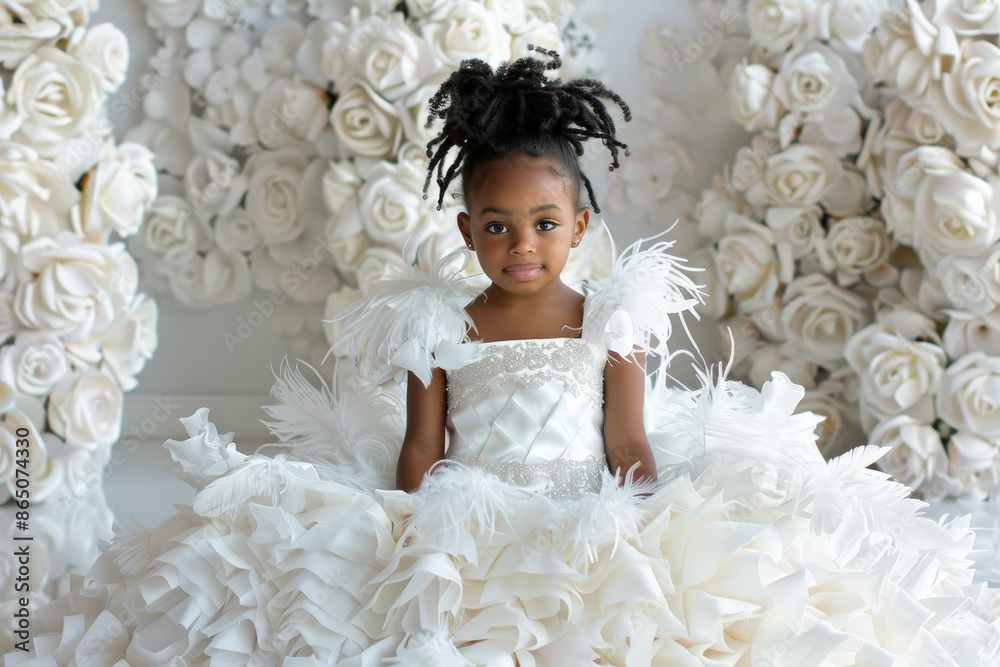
[852, 241]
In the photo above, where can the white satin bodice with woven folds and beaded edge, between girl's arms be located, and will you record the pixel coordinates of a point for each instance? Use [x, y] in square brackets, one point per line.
[531, 410]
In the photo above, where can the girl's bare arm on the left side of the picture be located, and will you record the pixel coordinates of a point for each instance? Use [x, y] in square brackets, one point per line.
[423, 443]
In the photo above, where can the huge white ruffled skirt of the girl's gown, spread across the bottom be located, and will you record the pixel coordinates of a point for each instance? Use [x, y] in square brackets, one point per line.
[732, 561]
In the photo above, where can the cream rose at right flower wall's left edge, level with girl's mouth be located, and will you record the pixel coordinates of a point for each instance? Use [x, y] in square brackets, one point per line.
[748, 263]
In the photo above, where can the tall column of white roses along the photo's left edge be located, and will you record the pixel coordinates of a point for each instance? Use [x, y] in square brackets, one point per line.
[74, 329]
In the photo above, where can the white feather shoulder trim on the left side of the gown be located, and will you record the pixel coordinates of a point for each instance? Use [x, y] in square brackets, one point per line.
[398, 323]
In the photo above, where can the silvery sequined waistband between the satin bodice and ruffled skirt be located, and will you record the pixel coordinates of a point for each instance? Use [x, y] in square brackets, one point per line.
[558, 479]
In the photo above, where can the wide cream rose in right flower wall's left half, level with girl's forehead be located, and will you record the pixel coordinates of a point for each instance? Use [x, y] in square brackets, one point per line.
[798, 176]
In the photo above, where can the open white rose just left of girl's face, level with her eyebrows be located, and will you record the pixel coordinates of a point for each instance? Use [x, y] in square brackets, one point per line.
[391, 204]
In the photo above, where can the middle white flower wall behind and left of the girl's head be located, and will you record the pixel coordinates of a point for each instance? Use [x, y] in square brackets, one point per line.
[290, 144]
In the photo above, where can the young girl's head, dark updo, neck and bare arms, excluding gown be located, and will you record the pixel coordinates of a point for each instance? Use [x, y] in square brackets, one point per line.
[521, 184]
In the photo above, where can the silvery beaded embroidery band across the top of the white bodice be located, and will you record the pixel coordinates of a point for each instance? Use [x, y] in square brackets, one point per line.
[531, 364]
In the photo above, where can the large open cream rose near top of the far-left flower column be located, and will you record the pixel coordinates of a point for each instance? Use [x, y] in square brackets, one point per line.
[58, 96]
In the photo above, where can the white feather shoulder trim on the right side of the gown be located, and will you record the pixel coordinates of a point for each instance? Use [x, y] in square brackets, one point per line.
[634, 304]
